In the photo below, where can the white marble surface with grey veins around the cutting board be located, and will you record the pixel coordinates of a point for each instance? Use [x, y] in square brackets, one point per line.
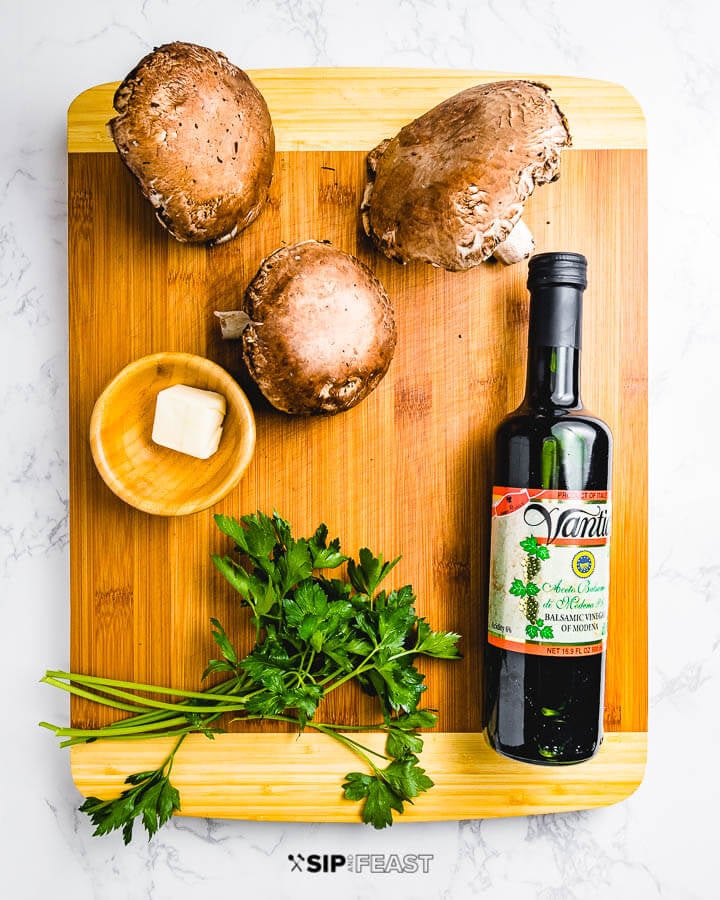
[661, 843]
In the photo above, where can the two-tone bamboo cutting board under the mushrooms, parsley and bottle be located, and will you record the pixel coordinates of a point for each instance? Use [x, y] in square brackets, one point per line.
[405, 472]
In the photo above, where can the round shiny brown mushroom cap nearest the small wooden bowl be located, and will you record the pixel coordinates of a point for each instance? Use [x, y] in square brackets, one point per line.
[322, 331]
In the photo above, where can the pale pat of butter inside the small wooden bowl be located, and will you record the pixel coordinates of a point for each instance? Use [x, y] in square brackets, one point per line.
[189, 420]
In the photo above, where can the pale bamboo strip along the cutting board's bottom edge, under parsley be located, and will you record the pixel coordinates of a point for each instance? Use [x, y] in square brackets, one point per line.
[238, 776]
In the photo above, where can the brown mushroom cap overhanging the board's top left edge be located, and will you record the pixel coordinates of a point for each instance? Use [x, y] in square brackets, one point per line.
[196, 134]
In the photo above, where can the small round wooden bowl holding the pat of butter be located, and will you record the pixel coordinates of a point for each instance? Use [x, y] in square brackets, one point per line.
[155, 479]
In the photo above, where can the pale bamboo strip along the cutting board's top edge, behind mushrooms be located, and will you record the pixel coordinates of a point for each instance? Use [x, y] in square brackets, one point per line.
[356, 108]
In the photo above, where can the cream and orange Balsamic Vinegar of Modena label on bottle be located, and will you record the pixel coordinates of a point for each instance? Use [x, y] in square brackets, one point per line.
[549, 571]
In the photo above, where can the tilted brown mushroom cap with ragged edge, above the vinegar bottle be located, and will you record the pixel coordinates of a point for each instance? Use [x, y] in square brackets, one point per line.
[450, 186]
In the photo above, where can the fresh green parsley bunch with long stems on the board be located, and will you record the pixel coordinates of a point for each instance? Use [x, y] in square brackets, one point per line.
[313, 633]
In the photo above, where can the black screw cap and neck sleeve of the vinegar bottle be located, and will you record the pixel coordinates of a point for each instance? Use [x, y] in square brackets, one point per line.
[556, 282]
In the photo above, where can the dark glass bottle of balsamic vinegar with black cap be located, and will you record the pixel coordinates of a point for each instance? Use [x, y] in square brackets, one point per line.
[550, 530]
